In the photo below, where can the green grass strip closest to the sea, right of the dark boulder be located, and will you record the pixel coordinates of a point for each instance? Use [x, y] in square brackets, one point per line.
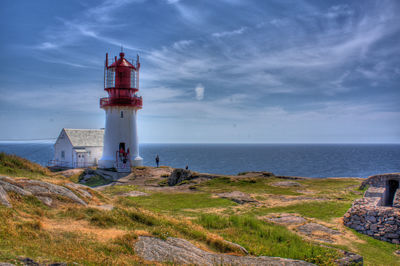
[248, 185]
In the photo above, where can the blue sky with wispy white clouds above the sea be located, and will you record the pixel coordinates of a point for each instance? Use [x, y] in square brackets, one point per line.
[212, 71]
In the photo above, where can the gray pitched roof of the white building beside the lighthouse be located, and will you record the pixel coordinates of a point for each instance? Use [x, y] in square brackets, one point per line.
[85, 137]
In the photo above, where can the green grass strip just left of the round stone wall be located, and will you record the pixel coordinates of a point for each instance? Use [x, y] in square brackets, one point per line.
[323, 210]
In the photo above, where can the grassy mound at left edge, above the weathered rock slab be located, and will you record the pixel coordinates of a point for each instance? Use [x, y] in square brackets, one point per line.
[13, 165]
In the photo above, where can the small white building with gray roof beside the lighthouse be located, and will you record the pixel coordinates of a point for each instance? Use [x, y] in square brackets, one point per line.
[77, 148]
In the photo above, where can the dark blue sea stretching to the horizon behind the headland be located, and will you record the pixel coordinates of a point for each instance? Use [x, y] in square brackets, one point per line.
[308, 160]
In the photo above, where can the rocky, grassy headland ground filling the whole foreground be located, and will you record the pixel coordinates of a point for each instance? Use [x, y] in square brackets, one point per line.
[165, 215]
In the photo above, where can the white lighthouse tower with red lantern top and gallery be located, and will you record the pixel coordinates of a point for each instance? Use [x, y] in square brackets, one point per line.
[121, 82]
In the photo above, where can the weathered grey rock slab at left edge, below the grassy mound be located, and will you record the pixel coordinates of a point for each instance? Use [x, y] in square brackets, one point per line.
[42, 190]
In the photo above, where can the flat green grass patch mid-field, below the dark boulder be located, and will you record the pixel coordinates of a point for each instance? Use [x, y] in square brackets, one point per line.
[176, 202]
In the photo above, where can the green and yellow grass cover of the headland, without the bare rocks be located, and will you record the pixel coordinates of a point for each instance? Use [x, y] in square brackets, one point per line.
[105, 231]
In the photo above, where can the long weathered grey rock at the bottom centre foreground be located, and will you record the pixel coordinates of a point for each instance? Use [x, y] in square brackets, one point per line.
[180, 251]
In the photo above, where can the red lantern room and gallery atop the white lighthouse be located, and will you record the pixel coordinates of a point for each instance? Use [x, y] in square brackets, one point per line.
[121, 81]
